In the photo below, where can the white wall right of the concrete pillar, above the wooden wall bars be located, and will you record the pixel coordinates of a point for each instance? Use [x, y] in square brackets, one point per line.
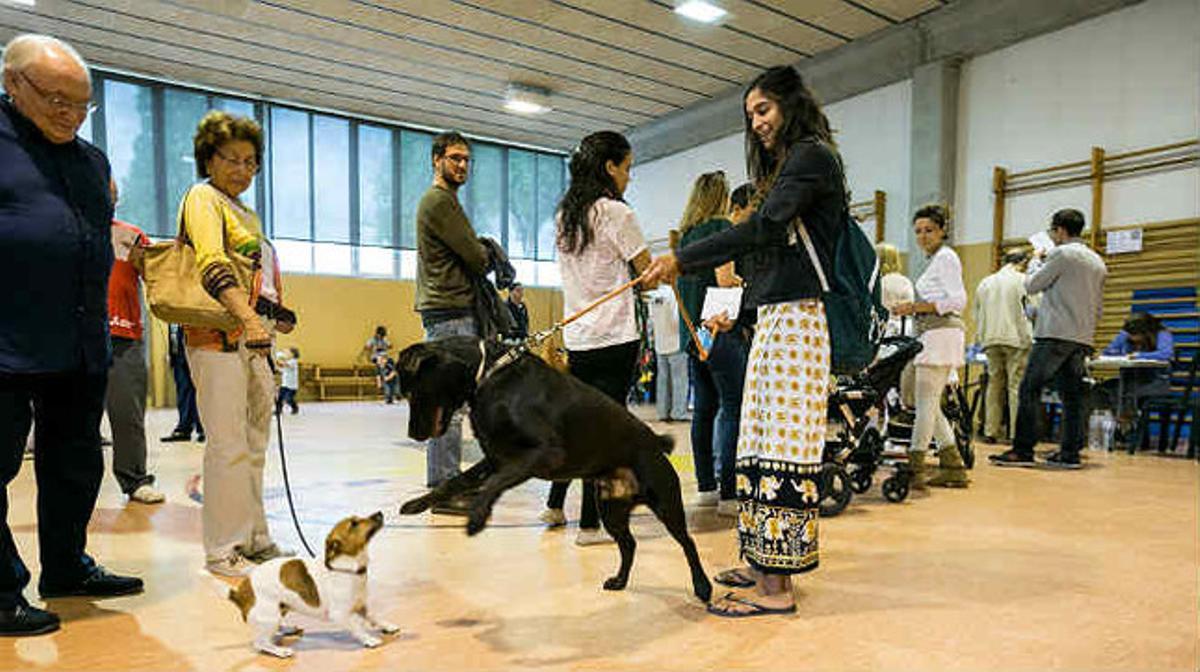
[1125, 81]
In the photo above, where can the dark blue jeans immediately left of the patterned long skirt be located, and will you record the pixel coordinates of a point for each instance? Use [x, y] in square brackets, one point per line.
[717, 412]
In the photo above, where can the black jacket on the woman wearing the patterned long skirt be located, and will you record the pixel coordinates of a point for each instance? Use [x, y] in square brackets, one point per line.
[812, 188]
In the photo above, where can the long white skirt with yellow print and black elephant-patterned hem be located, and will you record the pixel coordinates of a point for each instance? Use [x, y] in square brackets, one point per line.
[782, 437]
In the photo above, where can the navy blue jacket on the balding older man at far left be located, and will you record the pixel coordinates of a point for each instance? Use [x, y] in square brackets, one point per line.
[56, 251]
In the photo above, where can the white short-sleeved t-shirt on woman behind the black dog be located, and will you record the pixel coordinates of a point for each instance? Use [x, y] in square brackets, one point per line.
[598, 271]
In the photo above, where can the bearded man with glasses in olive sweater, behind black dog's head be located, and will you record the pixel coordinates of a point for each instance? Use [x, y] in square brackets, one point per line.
[449, 257]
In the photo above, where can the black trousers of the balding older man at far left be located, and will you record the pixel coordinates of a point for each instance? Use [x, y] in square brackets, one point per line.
[68, 466]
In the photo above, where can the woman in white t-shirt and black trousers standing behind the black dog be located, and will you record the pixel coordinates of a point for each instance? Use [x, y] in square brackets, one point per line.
[598, 241]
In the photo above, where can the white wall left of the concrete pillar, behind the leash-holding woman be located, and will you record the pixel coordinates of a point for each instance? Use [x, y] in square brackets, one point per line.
[872, 131]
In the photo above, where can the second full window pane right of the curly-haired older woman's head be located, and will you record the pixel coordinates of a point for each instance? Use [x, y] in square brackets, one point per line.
[332, 179]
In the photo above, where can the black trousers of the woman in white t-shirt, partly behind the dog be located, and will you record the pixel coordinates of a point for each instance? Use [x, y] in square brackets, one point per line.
[609, 370]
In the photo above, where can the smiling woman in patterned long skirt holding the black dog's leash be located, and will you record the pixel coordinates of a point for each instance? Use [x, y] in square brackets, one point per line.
[799, 178]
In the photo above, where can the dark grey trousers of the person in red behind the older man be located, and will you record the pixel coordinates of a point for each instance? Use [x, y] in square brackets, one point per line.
[127, 406]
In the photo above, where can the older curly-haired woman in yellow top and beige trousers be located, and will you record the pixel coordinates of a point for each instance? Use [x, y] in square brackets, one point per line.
[235, 385]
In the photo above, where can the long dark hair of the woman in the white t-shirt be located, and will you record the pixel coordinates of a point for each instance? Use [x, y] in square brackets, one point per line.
[591, 182]
